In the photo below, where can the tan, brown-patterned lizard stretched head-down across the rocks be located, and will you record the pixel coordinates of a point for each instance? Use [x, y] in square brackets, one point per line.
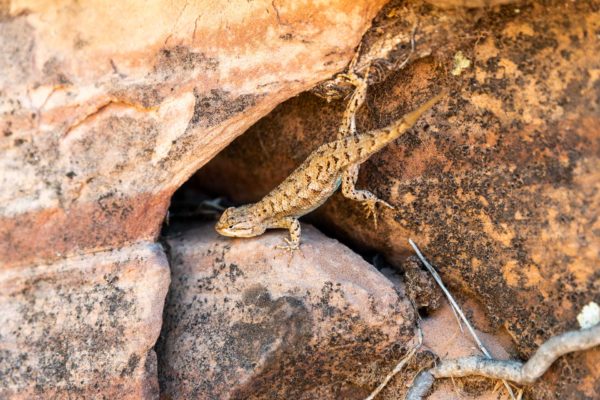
[332, 165]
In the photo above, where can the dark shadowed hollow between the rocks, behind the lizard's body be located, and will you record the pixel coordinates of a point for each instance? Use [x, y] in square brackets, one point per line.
[257, 161]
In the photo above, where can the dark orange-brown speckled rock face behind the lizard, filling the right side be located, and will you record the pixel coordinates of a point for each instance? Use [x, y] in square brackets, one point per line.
[499, 184]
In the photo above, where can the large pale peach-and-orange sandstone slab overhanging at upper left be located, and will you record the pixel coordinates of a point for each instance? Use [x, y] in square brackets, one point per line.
[106, 108]
